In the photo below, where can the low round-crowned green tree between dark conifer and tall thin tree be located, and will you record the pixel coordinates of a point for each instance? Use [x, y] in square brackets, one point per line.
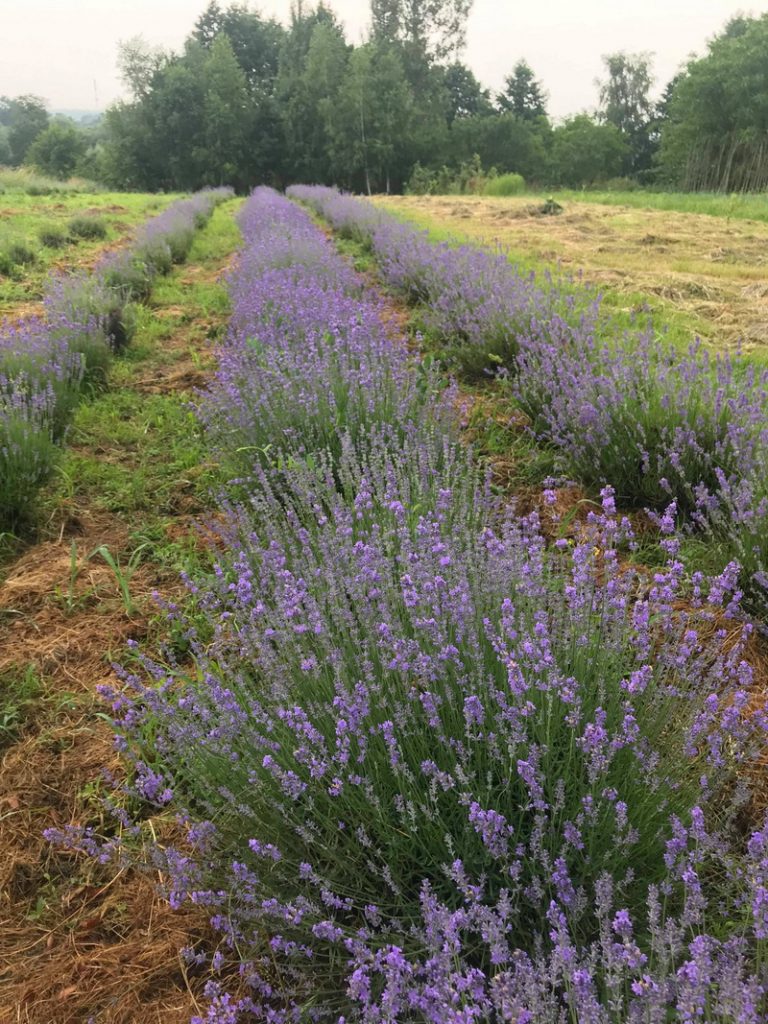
[585, 152]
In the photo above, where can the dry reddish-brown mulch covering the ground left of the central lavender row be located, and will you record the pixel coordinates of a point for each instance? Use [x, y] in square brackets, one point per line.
[80, 942]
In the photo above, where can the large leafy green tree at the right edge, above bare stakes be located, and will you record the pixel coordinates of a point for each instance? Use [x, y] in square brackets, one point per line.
[716, 136]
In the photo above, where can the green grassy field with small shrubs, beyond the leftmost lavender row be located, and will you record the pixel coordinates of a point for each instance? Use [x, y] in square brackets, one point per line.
[25, 219]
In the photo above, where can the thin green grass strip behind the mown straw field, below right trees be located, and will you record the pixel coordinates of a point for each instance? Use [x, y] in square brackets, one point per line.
[739, 206]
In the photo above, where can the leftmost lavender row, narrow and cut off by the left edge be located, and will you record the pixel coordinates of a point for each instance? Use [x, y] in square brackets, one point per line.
[89, 316]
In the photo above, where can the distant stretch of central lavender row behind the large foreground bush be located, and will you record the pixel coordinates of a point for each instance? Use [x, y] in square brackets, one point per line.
[309, 361]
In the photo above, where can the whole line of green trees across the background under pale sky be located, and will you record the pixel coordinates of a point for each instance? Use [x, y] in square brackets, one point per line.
[249, 101]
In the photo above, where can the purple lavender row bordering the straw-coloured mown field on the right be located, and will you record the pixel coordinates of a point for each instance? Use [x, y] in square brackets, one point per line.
[657, 425]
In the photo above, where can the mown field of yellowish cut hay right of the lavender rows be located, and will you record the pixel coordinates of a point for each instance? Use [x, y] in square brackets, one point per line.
[703, 275]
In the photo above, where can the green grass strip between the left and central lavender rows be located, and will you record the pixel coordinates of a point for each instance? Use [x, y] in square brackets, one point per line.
[141, 455]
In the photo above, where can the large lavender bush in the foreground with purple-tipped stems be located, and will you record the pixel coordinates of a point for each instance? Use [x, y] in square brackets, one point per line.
[408, 733]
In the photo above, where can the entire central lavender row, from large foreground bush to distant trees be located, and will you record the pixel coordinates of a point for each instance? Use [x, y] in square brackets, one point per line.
[433, 770]
